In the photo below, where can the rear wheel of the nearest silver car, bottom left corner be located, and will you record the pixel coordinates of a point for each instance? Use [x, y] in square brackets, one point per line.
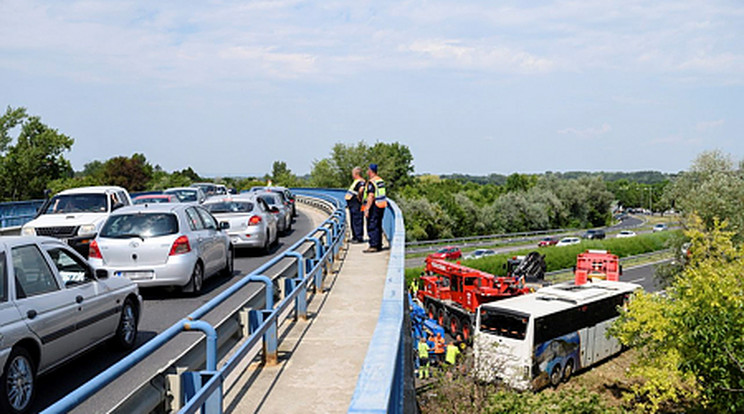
[18, 382]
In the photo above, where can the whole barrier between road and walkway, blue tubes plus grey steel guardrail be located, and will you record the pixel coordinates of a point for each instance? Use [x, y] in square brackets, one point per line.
[194, 376]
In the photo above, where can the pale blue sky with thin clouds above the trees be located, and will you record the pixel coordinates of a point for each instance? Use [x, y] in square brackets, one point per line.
[227, 87]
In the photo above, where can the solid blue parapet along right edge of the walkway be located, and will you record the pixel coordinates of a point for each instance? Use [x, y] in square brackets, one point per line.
[380, 387]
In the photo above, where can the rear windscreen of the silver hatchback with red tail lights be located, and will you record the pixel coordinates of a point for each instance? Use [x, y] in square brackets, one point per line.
[140, 225]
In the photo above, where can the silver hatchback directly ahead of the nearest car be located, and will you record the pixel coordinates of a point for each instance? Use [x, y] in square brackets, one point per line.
[163, 245]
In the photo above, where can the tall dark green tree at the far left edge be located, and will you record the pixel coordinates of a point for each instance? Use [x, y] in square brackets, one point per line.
[36, 157]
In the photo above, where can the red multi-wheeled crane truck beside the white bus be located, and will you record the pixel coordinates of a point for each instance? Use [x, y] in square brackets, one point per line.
[451, 293]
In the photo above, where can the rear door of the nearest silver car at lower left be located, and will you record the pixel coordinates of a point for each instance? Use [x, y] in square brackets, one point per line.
[50, 311]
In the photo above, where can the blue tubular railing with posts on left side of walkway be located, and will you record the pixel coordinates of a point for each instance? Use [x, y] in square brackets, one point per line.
[205, 391]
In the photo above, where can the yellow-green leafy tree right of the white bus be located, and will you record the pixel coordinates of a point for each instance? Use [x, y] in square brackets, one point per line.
[692, 349]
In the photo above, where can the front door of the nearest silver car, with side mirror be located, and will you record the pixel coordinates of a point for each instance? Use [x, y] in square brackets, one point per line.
[98, 313]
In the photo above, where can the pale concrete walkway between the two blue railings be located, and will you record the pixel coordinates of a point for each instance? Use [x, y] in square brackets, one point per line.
[320, 359]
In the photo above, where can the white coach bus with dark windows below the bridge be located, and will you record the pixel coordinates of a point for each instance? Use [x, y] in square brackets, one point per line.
[541, 338]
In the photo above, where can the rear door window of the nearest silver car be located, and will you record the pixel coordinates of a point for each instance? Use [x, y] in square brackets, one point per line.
[32, 273]
